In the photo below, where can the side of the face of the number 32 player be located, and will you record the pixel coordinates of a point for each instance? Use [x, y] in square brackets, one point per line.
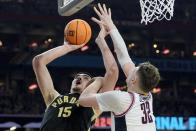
[132, 78]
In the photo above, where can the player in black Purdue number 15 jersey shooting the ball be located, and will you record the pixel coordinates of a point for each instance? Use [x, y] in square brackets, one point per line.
[63, 112]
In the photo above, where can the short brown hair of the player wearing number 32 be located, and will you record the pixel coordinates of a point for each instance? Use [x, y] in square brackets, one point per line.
[149, 76]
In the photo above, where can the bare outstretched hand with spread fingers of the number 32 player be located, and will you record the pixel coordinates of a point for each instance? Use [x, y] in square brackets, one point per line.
[104, 16]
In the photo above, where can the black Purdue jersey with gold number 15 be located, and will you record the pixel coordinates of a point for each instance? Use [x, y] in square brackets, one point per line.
[65, 114]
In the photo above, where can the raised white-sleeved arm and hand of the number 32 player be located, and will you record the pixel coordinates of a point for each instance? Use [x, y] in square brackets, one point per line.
[124, 59]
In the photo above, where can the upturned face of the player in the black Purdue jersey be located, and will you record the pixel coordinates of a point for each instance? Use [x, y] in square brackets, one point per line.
[79, 83]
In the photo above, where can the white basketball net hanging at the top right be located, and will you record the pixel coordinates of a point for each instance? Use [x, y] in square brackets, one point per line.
[156, 9]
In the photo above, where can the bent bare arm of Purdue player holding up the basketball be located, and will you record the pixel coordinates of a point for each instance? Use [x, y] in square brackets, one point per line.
[42, 74]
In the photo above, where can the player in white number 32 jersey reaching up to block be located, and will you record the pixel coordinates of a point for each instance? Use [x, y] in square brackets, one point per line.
[133, 109]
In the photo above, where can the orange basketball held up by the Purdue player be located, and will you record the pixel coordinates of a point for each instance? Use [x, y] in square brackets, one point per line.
[77, 32]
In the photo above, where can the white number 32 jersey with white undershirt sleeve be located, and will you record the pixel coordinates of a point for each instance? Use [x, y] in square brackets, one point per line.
[130, 111]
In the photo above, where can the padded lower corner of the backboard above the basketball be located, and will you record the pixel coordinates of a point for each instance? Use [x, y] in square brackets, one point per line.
[69, 7]
